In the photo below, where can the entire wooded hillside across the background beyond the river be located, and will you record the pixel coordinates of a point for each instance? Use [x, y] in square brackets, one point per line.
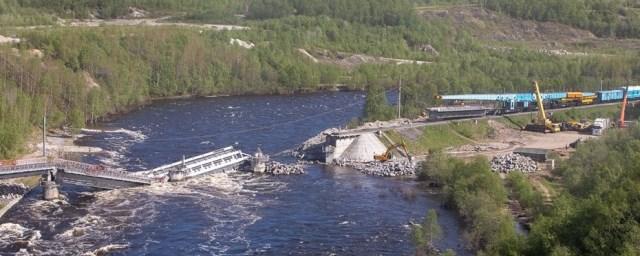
[105, 68]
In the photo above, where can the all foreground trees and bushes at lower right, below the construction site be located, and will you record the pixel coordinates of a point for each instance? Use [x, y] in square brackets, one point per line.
[595, 214]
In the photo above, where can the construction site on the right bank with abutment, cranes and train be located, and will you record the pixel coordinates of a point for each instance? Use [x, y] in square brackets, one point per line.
[517, 132]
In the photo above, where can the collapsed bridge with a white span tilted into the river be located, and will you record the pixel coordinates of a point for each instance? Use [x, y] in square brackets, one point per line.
[56, 171]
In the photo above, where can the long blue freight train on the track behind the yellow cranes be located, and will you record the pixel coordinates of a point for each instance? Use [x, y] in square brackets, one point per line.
[524, 102]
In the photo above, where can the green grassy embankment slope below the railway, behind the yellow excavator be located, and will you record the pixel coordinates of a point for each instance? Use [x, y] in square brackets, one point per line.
[439, 137]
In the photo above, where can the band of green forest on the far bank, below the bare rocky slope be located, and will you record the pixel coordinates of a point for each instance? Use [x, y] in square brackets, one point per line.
[134, 64]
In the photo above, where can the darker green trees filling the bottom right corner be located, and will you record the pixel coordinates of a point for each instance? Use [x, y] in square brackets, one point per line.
[598, 213]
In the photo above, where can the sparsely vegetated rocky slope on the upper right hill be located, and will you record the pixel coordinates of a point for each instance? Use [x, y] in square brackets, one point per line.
[497, 29]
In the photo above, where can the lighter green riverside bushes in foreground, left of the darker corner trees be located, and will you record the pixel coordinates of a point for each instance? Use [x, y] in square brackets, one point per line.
[479, 197]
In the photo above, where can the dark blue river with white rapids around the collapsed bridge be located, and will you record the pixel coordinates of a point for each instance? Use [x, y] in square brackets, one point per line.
[327, 211]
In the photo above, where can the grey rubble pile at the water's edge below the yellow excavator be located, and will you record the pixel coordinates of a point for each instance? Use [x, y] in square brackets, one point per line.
[386, 169]
